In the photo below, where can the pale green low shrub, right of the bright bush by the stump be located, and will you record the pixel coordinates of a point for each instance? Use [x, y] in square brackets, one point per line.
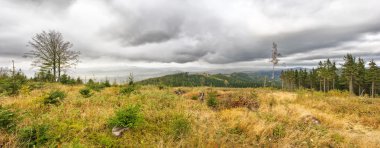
[181, 126]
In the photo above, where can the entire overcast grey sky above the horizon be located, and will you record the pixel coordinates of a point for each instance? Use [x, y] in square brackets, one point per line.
[152, 37]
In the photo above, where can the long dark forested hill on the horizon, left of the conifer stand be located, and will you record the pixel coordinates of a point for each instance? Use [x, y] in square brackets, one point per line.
[217, 80]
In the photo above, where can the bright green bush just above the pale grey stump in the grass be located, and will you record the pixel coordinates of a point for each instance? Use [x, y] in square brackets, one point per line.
[127, 117]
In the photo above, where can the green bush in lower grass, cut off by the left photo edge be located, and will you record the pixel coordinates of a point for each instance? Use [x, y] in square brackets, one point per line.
[7, 119]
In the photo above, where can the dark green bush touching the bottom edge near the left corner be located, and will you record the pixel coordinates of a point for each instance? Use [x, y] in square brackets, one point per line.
[34, 136]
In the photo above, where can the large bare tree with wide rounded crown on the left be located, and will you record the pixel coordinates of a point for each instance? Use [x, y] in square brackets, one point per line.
[51, 52]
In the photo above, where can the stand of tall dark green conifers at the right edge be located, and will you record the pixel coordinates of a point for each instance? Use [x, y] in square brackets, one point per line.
[352, 76]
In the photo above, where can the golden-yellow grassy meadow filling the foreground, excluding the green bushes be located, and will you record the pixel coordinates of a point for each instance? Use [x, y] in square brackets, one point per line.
[78, 121]
